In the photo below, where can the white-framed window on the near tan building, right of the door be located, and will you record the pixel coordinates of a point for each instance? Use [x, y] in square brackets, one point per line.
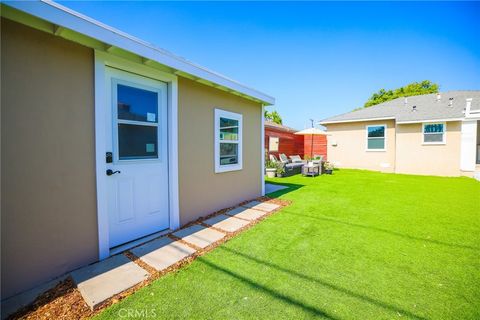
[228, 141]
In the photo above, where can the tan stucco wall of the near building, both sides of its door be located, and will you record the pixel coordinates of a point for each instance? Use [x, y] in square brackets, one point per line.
[48, 192]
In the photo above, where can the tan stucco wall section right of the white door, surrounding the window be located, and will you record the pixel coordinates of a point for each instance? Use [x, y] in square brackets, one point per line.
[201, 190]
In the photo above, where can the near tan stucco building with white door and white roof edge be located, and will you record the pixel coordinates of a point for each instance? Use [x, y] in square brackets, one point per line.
[107, 139]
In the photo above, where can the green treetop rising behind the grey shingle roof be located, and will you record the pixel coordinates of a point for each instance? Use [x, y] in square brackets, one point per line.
[412, 89]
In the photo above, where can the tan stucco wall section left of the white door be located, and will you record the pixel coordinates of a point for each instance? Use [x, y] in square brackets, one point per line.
[49, 222]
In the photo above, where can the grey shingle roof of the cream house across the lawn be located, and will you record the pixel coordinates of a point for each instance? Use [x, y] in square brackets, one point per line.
[427, 108]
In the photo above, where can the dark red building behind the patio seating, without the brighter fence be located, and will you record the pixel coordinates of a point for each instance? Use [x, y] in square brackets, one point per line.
[282, 139]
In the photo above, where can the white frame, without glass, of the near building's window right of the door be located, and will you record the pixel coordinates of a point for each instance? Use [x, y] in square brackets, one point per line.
[219, 113]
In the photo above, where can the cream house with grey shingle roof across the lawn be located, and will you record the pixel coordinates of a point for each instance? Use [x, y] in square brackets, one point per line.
[432, 134]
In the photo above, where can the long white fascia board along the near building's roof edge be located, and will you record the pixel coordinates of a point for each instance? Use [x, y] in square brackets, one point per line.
[70, 19]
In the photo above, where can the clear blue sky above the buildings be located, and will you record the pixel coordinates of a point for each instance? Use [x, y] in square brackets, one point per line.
[317, 59]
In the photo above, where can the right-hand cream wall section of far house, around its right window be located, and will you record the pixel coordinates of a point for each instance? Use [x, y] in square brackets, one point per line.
[414, 157]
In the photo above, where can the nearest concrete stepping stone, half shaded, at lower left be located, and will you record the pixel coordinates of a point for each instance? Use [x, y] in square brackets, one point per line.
[104, 279]
